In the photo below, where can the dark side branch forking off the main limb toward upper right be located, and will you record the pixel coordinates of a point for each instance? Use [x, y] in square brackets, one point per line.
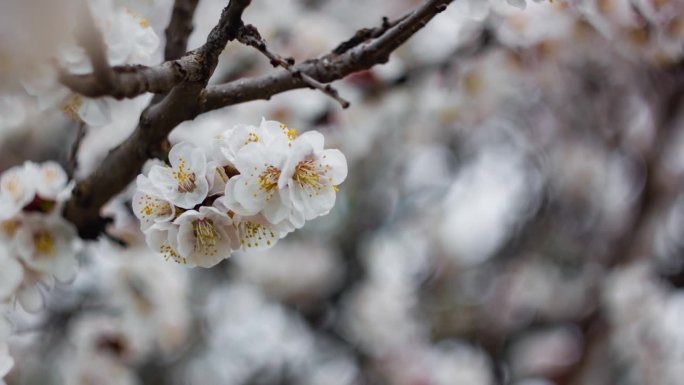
[327, 68]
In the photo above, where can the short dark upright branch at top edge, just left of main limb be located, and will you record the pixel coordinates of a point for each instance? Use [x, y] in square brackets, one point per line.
[179, 28]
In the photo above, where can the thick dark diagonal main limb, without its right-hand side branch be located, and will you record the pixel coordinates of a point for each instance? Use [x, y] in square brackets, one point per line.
[124, 162]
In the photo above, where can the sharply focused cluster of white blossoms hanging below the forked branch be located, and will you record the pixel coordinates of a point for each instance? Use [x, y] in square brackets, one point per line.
[258, 184]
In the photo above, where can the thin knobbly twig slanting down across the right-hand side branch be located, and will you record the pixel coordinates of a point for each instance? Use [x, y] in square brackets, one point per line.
[249, 35]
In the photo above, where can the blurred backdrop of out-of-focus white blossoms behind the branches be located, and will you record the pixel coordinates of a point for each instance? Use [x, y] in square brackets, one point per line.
[513, 212]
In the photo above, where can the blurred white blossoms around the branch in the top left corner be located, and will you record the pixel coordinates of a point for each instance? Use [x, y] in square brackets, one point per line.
[129, 40]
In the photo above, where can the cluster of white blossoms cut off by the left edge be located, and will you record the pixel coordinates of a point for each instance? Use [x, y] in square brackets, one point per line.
[37, 245]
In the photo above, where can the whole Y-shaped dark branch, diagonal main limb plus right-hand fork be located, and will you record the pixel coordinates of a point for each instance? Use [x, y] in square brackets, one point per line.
[191, 97]
